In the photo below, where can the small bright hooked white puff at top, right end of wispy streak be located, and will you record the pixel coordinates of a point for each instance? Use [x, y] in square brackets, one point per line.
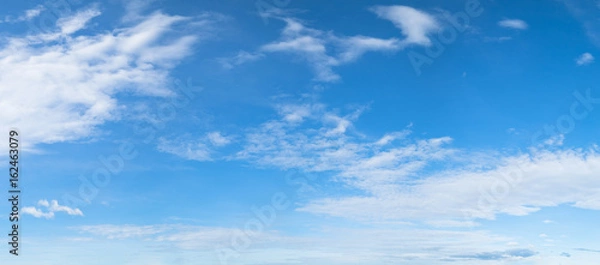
[415, 24]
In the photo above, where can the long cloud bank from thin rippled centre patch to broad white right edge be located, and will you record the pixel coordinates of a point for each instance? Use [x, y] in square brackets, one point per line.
[397, 178]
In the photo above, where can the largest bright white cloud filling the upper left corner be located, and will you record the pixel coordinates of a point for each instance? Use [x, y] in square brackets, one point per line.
[60, 88]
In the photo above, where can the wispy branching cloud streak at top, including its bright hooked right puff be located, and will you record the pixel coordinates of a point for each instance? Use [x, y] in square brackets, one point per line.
[323, 50]
